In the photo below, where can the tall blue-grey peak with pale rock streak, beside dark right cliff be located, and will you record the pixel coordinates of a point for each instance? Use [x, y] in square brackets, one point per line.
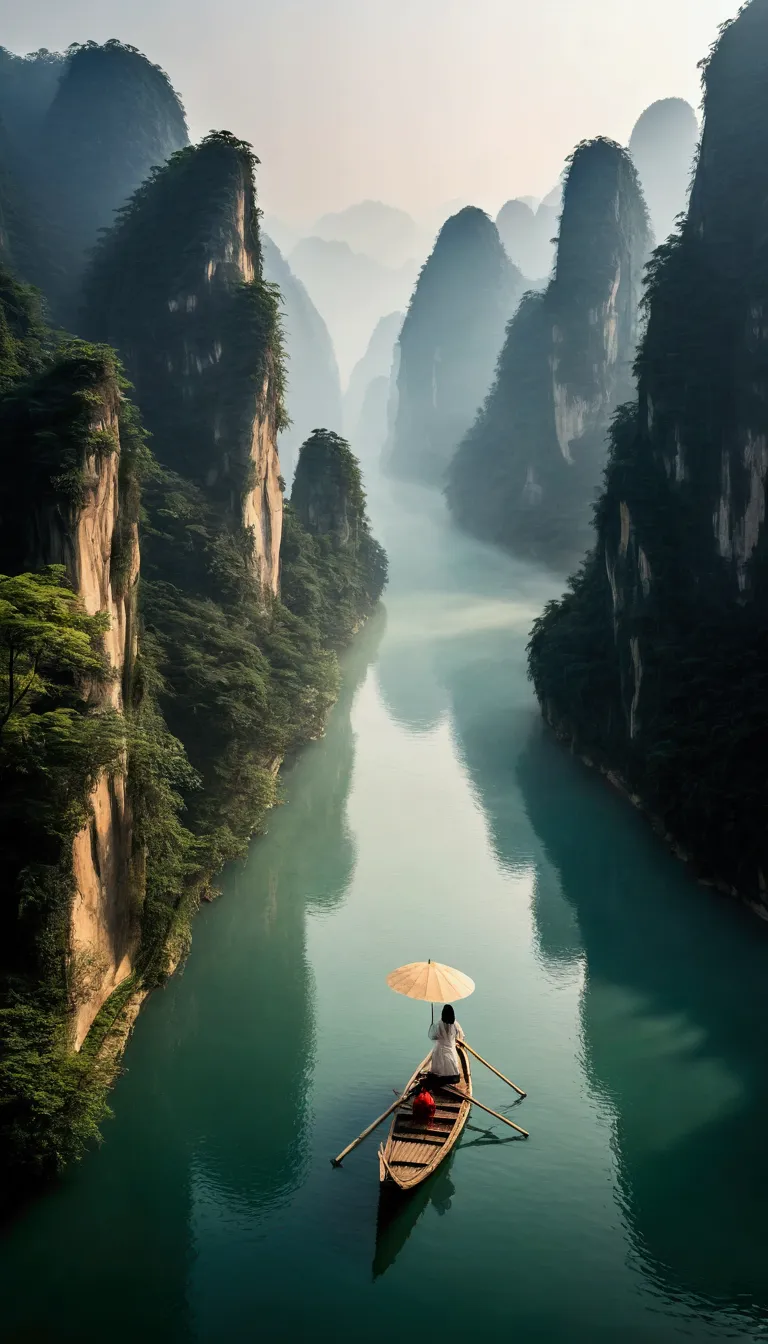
[528, 472]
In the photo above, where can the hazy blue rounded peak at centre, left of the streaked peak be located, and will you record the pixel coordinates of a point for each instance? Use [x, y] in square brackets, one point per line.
[450, 345]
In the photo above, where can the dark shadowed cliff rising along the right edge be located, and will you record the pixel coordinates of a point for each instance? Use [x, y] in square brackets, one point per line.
[654, 662]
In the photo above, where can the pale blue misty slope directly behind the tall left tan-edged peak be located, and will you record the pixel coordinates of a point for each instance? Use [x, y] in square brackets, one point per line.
[313, 394]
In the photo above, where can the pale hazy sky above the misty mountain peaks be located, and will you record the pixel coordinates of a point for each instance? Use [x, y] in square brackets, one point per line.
[416, 103]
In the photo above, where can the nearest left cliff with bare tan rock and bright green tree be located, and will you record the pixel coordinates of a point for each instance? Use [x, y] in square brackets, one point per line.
[84, 756]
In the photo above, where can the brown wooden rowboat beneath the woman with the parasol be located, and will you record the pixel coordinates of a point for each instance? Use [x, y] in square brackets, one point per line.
[415, 1148]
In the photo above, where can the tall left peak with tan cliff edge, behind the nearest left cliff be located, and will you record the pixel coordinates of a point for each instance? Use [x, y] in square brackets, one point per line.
[180, 287]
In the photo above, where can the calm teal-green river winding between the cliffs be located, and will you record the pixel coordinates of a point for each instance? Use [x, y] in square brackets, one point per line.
[434, 821]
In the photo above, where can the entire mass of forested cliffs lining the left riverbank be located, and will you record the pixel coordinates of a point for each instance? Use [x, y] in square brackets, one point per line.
[169, 627]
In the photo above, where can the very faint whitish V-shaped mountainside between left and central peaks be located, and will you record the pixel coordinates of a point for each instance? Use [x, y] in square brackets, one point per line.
[352, 292]
